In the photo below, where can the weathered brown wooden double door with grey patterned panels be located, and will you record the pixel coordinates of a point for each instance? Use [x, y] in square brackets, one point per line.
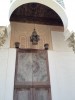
[32, 75]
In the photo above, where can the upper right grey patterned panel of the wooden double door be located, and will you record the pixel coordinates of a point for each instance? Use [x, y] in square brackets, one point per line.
[39, 67]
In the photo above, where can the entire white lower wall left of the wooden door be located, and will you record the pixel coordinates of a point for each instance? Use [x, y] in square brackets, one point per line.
[7, 68]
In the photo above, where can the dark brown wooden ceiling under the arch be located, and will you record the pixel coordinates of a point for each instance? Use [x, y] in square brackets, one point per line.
[36, 13]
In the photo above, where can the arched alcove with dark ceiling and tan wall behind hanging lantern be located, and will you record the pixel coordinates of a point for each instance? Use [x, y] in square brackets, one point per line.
[29, 14]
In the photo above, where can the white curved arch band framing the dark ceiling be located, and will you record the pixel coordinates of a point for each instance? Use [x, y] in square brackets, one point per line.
[51, 4]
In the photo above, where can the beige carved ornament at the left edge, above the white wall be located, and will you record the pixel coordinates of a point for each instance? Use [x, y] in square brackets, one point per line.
[3, 35]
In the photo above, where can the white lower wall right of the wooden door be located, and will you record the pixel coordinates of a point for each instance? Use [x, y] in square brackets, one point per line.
[62, 75]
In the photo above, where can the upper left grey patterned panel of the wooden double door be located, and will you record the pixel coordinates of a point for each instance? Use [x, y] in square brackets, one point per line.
[24, 70]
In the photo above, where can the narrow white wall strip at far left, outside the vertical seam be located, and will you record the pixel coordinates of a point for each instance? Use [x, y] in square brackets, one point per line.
[3, 71]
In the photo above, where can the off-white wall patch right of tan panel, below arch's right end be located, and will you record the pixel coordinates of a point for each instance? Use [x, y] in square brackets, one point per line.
[58, 42]
